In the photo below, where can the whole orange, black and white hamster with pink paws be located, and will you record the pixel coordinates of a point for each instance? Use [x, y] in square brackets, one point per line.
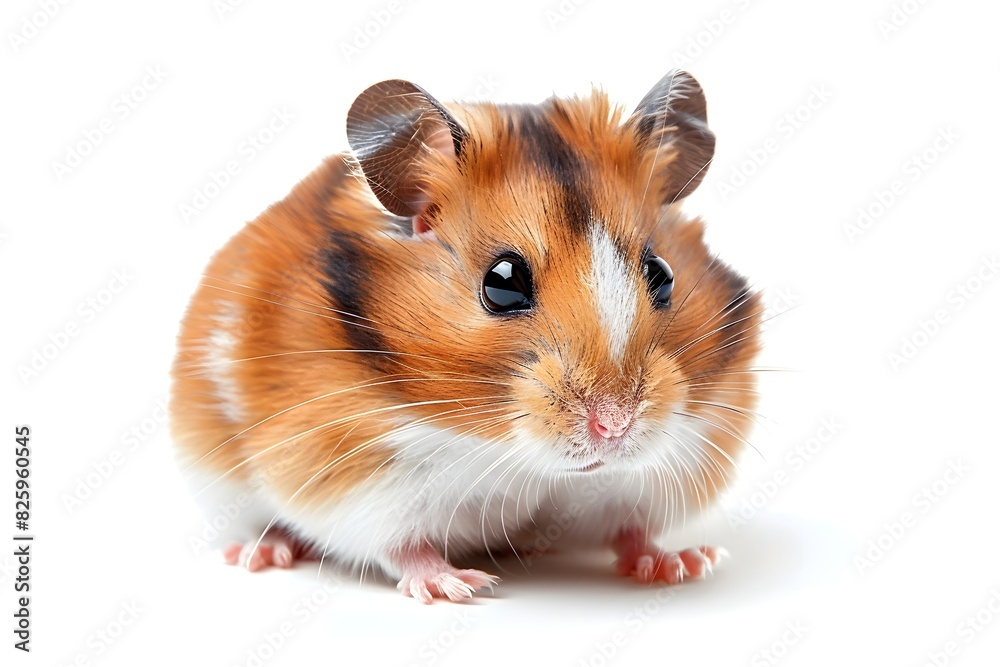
[487, 328]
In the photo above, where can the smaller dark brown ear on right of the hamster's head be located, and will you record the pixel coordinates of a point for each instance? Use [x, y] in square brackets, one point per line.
[671, 121]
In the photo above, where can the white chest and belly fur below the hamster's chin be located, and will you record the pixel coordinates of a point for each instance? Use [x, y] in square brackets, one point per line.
[467, 496]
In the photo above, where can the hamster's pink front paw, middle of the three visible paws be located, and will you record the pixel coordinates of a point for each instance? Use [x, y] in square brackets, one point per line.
[427, 576]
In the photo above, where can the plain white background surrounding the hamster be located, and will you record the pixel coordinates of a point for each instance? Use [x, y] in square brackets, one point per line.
[866, 97]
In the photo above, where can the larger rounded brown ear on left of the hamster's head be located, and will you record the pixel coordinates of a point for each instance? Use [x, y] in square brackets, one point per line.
[391, 127]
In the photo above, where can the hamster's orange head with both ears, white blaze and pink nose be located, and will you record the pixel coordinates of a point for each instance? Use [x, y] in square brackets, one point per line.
[538, 290]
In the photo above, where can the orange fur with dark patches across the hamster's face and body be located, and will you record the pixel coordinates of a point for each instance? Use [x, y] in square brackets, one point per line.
[311, 406]
